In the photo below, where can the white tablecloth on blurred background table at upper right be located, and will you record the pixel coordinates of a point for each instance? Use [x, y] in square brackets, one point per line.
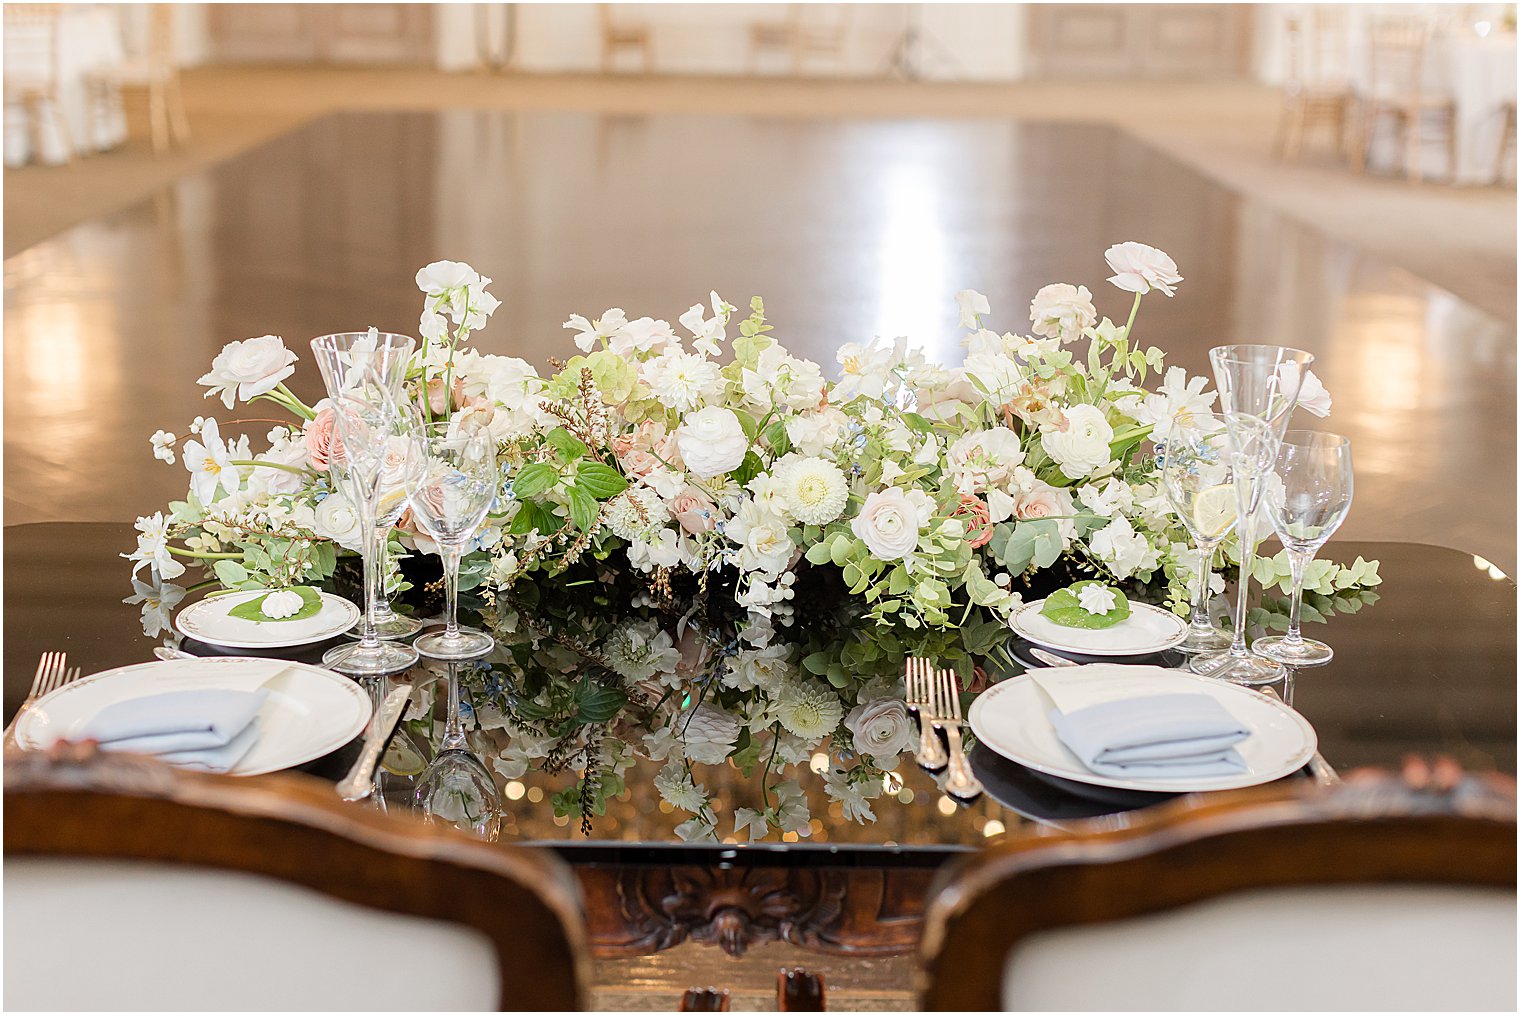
[1480, 77]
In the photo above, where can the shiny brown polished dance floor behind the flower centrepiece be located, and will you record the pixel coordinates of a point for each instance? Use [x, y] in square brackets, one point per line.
[849, 230]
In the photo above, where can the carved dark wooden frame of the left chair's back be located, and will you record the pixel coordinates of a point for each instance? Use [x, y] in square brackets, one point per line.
[296, 829]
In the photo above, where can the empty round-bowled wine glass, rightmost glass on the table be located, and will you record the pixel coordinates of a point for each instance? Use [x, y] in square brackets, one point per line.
[1306, 499]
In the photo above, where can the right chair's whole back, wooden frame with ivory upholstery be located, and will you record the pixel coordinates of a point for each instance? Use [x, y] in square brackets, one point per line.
[1370, 897]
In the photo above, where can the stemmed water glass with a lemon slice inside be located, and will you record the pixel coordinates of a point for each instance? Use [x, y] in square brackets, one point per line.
[1195, 475]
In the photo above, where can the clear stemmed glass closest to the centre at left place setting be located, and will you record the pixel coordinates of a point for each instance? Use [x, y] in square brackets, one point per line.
[451, 493]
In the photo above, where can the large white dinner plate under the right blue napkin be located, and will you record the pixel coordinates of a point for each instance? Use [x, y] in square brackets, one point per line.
[1013, 719]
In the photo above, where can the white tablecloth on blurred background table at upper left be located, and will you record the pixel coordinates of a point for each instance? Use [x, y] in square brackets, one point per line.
[90, 40]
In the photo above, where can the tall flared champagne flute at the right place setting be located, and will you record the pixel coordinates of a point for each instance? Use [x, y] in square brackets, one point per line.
[1258, 391]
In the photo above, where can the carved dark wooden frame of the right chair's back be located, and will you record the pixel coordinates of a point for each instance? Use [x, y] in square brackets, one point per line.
[1369, 832]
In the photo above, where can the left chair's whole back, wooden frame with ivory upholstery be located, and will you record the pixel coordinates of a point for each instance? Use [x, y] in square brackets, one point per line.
[131, 885]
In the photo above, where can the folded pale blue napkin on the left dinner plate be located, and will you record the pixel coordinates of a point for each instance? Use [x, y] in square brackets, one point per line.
[209, 729]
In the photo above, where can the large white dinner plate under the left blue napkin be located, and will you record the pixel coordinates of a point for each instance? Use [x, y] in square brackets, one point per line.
[309, 713]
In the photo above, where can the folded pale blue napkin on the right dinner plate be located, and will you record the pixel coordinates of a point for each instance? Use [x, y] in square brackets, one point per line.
[1157, 736]
